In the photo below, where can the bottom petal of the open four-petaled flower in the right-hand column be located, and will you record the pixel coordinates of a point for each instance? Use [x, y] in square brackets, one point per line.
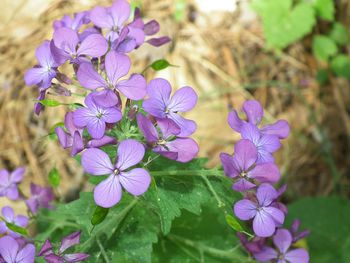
[263, 224]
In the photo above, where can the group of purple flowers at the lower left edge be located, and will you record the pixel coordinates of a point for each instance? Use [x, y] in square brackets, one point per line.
[14, 247]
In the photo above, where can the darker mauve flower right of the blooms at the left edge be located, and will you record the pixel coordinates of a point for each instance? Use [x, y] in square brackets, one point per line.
[39, 197]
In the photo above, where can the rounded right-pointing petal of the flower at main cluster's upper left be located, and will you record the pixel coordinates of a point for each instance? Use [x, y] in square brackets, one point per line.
[93, 45]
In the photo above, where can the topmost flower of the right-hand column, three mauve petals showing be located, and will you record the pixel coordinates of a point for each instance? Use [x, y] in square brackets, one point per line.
[254, 113]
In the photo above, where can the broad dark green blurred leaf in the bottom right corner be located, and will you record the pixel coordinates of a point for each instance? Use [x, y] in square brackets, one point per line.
[328, 219]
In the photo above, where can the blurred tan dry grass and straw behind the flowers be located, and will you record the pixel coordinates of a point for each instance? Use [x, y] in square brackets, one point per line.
[221, 54]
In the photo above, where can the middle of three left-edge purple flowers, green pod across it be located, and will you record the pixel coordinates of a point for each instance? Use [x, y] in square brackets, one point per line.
[9, 216]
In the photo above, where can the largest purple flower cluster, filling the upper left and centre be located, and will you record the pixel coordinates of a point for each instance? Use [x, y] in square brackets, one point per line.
[120, 107]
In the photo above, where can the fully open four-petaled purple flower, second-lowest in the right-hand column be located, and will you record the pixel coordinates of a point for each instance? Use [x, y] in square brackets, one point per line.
[265, 216]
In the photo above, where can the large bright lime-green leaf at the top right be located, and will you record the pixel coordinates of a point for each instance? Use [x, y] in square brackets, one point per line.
[284, 23]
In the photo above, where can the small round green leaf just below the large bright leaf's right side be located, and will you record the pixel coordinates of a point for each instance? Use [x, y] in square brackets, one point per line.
[323, 47]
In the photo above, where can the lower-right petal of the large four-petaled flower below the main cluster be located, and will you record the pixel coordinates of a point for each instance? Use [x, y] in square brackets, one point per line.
[136, 181]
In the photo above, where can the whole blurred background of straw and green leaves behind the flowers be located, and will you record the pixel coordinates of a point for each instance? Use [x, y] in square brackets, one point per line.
[292, 56]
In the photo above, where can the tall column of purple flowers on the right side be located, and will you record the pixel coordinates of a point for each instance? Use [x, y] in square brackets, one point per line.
[254, 172]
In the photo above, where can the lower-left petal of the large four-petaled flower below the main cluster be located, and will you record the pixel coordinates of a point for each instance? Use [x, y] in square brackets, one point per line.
[108, 192]
